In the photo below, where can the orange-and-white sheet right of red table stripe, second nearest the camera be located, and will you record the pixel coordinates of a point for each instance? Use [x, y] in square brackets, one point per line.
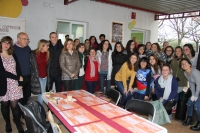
[110, 110]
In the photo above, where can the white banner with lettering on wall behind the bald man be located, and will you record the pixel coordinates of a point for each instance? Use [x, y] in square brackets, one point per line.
[11, 27]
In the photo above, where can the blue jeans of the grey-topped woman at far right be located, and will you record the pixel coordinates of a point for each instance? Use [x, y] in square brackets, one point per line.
[193, 105]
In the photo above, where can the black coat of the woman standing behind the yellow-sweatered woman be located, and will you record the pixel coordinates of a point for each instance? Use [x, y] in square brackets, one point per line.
[118, 60]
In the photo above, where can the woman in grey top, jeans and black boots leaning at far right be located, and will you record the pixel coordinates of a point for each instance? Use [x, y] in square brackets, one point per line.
[192, 75]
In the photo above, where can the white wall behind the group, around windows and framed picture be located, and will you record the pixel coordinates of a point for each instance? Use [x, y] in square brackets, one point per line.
[41, 20]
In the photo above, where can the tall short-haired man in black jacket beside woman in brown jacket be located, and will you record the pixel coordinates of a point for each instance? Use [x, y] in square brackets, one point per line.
[55, 71]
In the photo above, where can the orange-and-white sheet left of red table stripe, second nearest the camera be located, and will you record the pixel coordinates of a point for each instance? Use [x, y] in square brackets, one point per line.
[78, 116]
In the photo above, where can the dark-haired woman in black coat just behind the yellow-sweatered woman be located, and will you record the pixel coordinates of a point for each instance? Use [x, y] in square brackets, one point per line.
[118, 59]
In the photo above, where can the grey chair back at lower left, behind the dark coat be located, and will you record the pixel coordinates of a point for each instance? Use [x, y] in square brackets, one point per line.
[30, 116]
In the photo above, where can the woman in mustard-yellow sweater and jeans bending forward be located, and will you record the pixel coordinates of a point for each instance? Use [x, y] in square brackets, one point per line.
[128, 70]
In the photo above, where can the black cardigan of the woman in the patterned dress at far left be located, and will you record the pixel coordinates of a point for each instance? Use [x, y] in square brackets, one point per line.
[4, 75]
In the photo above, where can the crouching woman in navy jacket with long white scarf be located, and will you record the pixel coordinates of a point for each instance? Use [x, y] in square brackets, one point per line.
[166, 87]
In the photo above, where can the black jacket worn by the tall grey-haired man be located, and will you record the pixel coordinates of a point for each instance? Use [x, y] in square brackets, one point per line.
[55, 70]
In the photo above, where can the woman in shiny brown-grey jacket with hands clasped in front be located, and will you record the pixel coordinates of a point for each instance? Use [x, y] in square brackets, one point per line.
[70, 65]
